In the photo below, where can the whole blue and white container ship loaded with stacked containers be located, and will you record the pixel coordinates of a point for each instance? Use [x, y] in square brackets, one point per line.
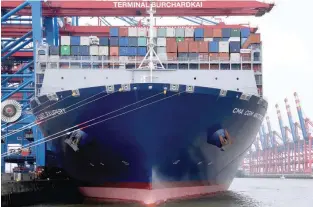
[149, 114]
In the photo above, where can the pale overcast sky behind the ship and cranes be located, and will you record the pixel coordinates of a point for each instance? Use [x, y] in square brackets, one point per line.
[287, 51]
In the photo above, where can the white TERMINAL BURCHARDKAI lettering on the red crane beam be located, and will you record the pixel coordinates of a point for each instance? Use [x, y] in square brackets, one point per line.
[160, 4]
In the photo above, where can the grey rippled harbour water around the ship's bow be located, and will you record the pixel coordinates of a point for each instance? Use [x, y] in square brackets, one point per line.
[244, 192]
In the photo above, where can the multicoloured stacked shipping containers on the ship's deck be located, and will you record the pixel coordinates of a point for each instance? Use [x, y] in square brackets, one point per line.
[172, 43]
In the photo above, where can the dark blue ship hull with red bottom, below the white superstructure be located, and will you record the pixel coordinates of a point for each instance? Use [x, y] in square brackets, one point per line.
[148, 138]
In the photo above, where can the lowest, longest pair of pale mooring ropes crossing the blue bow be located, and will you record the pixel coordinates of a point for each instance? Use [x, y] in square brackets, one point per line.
[46, 140]
